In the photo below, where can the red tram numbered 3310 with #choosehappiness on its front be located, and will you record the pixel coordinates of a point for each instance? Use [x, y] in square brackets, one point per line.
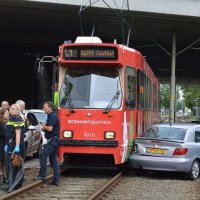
[108, 95]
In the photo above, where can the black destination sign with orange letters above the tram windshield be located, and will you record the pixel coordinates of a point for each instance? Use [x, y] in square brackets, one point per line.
[90, 53]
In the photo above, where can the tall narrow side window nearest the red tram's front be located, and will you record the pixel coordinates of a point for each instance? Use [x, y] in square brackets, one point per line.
[130, 88]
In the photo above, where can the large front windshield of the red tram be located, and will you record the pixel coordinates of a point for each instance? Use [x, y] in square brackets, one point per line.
[90, 88]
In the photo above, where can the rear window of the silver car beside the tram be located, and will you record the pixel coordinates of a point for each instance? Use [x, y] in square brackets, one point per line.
[171, 133]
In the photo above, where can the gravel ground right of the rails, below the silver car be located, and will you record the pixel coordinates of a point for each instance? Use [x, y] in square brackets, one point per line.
[155, 186]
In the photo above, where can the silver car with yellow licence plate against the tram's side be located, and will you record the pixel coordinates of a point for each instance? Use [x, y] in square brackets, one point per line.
[168, 148]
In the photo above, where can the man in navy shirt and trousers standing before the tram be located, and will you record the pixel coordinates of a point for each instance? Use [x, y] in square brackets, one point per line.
[52, 130]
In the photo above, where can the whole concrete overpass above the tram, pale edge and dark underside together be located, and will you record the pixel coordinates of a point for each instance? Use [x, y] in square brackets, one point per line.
[34, 28]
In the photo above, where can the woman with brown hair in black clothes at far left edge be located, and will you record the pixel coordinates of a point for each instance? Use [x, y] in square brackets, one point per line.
[4, 114]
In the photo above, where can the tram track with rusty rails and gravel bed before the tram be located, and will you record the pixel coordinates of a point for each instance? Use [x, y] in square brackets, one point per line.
[78, 186]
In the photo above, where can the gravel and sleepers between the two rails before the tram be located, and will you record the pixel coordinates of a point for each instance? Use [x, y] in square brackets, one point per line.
[74, 184]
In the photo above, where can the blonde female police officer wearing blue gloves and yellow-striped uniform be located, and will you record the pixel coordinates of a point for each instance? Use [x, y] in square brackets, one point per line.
[14, 140]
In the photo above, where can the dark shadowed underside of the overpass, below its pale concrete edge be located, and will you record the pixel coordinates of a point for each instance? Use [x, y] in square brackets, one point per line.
[33, 29]
